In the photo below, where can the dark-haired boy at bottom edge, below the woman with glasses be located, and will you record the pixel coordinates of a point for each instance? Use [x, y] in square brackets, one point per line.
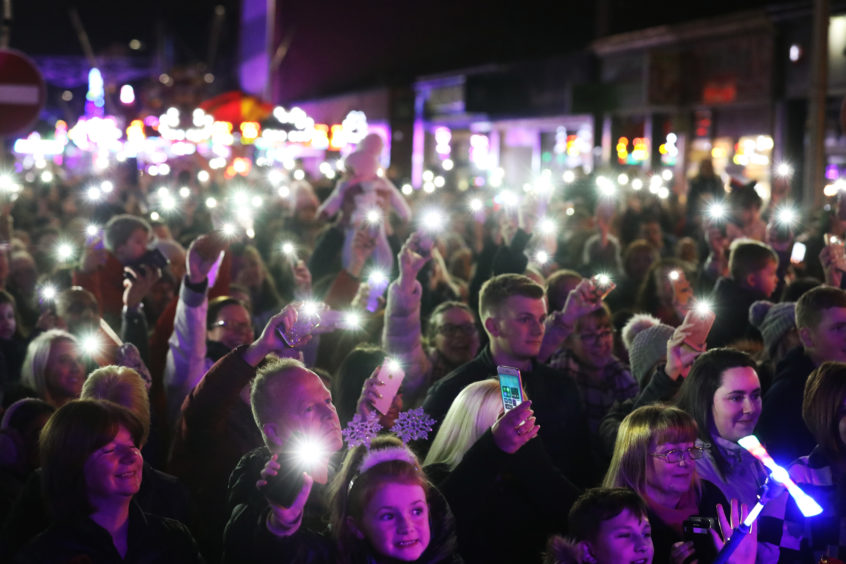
[608, 526]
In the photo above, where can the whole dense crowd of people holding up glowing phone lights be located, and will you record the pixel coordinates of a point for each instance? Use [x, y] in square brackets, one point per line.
[185, 391]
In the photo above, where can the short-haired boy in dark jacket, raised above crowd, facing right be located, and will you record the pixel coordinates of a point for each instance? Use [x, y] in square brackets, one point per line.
[753, 269]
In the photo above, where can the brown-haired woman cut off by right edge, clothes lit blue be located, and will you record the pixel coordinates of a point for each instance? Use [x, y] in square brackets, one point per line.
[821, 474]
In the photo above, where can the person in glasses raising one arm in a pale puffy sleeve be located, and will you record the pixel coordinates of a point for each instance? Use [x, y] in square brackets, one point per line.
[452, 338]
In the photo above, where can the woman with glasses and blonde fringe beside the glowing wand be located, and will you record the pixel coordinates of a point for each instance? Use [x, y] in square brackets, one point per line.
[656, 455]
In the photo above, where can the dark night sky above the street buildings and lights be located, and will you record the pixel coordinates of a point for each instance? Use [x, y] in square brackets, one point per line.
[338, 46]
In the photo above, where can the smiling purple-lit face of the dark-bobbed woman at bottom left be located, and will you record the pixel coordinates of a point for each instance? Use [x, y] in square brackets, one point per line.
[114, 470]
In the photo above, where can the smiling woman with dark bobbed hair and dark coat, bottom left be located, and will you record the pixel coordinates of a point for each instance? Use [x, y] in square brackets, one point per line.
[91, 469]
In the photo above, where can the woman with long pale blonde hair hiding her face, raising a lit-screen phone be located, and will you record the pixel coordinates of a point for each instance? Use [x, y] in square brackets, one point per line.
[500, 483]
